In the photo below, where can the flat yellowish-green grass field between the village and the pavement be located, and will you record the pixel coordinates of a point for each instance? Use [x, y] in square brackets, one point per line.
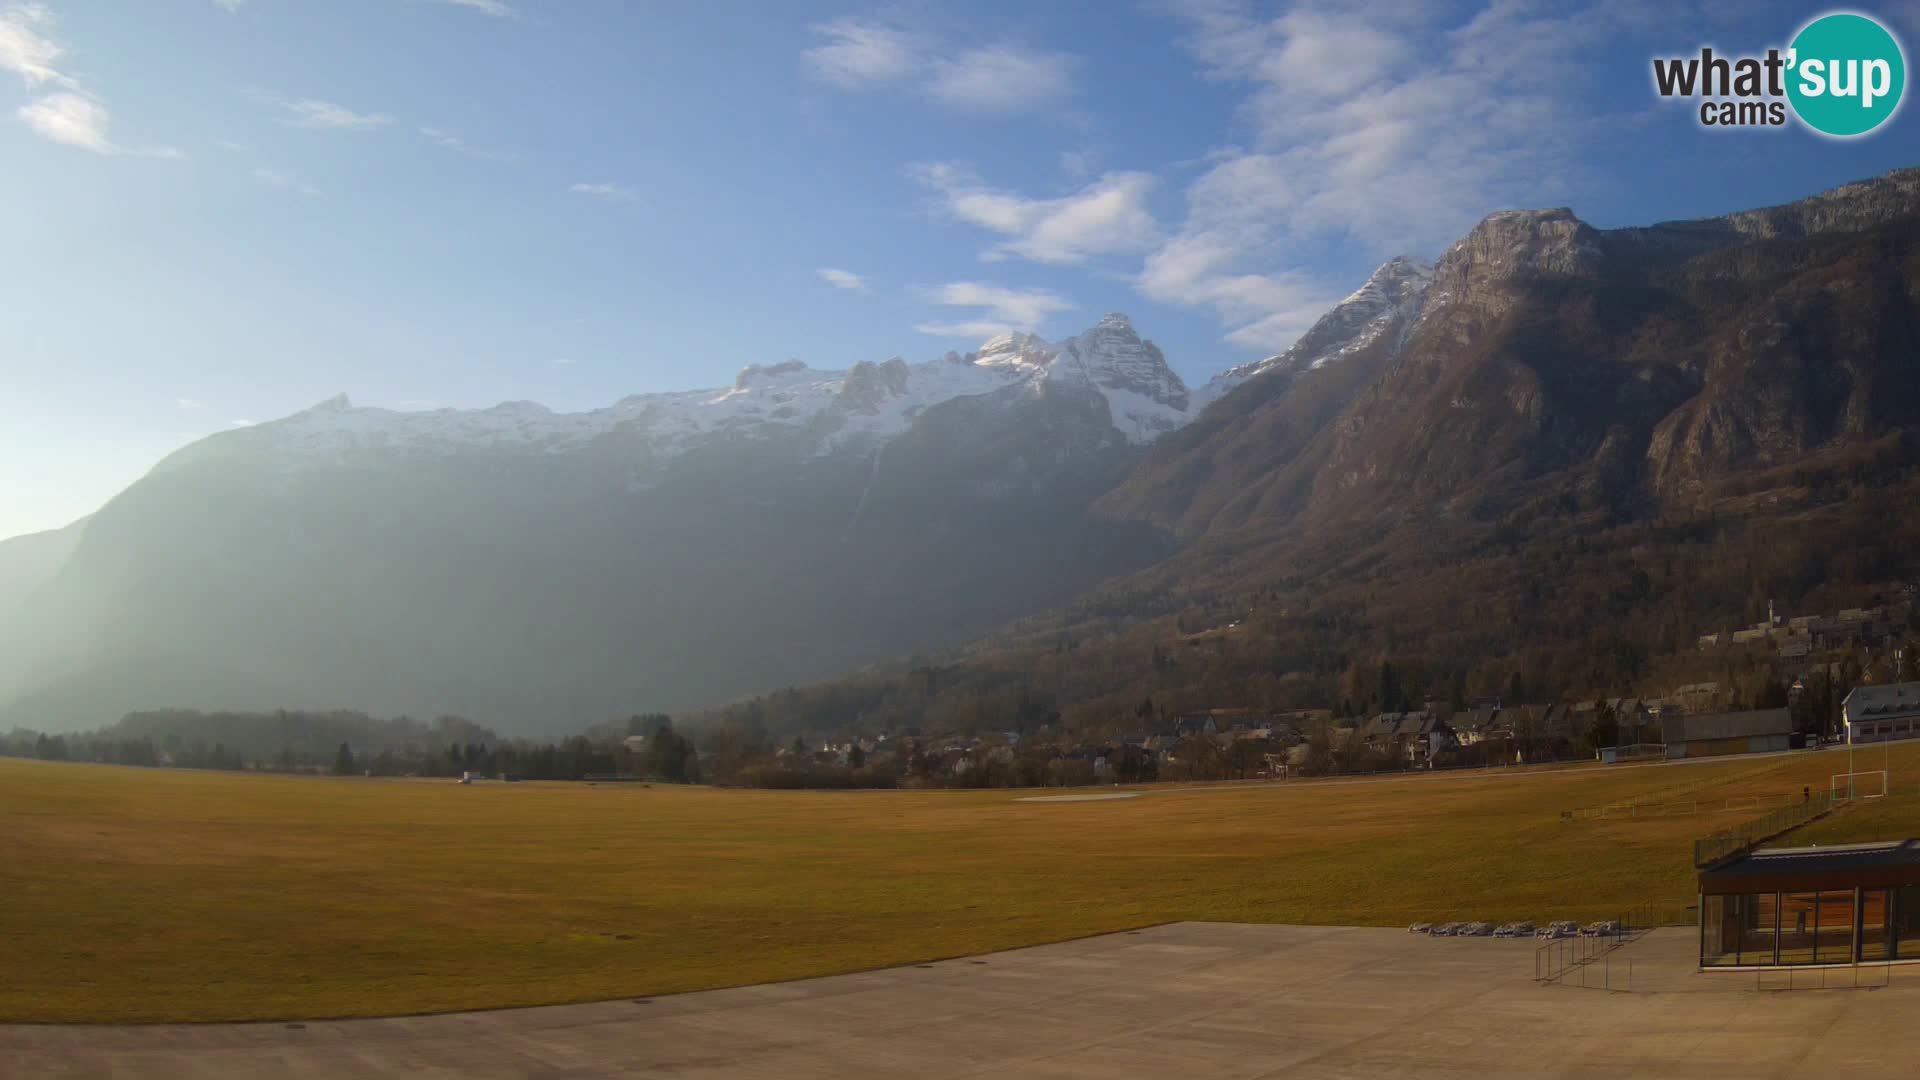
[145, 895]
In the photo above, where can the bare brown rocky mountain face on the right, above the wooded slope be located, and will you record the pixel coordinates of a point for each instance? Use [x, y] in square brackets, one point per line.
[1629, 368]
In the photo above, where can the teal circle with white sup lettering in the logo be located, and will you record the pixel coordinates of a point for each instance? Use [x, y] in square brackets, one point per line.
[1846, 76]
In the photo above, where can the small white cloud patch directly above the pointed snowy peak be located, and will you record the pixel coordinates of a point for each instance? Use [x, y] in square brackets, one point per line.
[1105, 218]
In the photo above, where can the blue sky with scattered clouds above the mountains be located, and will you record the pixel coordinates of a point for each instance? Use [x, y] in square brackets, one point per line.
[226, 210]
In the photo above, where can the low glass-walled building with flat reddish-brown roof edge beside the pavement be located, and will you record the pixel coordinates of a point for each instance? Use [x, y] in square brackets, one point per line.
[1812, 906]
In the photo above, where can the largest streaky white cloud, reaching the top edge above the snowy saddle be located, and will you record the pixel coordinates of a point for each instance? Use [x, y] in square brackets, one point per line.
[1391, 128]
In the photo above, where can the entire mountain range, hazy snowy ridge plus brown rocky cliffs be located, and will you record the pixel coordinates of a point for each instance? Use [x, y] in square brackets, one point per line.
[539, 572]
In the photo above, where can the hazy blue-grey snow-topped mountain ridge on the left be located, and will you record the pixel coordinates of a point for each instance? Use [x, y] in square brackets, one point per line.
[540, 570]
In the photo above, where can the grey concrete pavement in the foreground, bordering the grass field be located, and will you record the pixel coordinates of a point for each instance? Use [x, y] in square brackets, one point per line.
[1188, 1000]
